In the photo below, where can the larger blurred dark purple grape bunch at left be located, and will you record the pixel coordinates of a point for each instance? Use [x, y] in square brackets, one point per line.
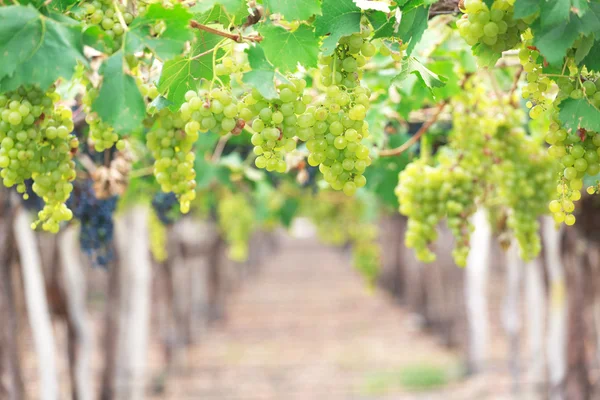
[96, 222]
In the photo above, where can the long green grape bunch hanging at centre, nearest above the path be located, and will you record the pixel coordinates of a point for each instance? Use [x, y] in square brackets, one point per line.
[339, 124]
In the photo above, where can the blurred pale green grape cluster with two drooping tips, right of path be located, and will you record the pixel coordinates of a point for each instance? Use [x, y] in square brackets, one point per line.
[429, 194]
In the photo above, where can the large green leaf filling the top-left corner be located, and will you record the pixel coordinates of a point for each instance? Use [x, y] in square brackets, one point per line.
[36, 49]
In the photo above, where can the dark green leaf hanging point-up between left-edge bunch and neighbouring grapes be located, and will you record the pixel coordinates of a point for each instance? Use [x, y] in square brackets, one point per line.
[119, 102]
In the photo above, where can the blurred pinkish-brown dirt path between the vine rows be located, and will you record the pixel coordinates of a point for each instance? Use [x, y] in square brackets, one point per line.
[307, 328]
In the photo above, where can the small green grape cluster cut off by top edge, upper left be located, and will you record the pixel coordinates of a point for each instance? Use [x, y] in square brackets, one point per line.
[105, 14]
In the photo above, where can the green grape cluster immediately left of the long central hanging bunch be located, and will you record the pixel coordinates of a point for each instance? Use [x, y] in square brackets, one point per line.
[276, 124]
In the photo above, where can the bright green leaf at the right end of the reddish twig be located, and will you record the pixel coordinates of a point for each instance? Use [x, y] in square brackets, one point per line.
[286, 49]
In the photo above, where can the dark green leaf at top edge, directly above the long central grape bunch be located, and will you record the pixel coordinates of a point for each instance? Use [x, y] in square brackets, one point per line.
[339, 18]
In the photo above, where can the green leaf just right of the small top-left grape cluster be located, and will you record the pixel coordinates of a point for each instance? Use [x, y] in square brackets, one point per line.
[171, 42]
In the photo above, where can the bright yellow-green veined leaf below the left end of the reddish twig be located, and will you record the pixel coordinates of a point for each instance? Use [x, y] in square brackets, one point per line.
[183, 73]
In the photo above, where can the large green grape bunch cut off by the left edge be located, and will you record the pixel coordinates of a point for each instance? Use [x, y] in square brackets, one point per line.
[36, 142]
